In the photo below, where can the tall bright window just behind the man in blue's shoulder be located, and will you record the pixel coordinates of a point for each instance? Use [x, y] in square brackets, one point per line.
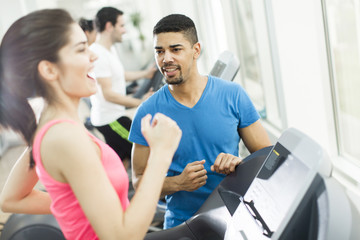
[257, 49]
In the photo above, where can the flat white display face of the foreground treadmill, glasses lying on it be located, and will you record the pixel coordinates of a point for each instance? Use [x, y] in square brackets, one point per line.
[271, 194]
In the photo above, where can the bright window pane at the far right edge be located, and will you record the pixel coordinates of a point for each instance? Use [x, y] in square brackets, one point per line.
[342, 21]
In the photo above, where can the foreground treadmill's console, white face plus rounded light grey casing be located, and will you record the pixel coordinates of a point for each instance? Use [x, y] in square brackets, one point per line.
[292, 167]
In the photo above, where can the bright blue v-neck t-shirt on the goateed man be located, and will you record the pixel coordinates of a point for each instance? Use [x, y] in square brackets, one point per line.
[208, 129]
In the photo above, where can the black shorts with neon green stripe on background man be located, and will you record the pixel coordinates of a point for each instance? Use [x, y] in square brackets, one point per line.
[116, 136]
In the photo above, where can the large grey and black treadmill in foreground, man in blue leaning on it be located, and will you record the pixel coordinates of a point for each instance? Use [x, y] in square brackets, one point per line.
[280, 192]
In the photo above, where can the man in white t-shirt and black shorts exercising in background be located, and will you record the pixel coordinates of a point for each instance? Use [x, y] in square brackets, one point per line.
[108, 104]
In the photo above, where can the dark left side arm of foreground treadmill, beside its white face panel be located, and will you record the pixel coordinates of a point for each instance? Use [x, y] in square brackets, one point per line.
[210, 221]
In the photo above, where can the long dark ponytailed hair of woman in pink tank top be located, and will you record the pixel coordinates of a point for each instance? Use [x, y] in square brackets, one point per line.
[35, 37]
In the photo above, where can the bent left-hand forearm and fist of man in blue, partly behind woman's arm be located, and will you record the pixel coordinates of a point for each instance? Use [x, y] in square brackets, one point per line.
[193, 177]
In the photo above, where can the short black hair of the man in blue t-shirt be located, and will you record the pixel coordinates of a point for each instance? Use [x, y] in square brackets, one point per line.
[177, 23]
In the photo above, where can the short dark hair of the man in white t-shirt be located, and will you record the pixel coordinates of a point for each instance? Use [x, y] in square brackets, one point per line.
[104, 15]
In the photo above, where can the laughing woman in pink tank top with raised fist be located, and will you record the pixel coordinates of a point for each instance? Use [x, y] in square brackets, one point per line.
[46, 54]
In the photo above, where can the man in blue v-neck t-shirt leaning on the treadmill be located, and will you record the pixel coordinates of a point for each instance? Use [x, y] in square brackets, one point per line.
[213, 114]
